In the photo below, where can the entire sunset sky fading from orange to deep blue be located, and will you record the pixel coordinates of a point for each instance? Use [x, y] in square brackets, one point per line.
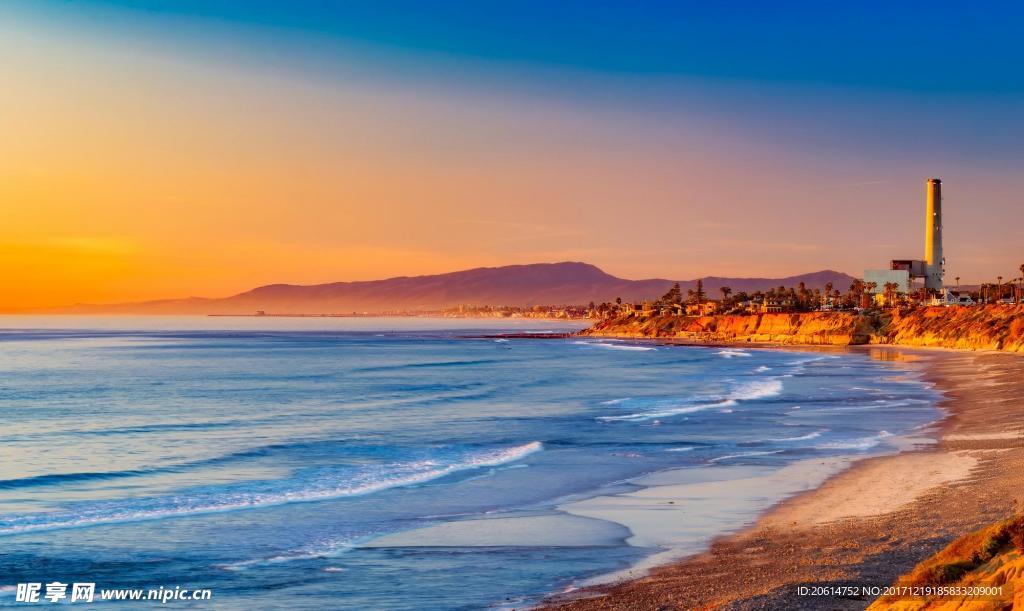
[172, 149]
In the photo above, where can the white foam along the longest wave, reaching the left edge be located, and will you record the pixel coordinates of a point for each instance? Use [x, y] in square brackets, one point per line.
[405, 474]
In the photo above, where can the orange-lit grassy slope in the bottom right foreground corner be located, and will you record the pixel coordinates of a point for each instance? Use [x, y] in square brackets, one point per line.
[991, 558]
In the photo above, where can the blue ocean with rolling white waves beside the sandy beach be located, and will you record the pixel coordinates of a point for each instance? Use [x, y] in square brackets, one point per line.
[397, 463]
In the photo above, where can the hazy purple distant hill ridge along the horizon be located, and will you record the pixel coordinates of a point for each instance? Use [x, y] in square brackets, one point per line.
[542, 284]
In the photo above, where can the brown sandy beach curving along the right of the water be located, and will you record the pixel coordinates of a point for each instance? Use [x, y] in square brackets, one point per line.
[865, 526]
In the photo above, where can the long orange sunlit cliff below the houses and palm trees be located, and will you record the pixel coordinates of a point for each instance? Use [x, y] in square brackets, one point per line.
[991, 328]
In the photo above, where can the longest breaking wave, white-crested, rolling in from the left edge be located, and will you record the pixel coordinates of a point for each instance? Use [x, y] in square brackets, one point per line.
[326, 485]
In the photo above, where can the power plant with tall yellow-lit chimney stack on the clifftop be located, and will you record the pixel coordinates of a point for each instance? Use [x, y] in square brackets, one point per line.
[903, 273]
